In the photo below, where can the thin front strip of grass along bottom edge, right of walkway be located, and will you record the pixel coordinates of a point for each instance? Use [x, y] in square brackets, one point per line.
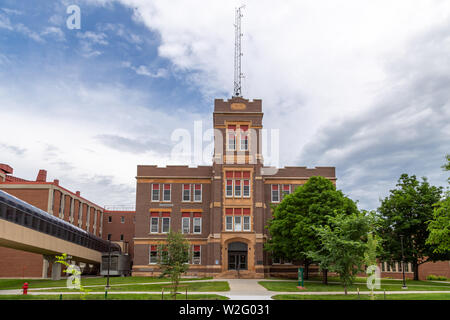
[408, 296]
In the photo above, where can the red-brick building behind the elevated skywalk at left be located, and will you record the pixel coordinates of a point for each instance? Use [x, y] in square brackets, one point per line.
[56, 200]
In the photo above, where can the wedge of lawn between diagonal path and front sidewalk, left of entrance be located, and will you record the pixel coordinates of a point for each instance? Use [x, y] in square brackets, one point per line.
[206, 286]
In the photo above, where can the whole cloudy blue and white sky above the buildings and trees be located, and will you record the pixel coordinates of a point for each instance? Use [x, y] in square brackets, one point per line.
[360, 85]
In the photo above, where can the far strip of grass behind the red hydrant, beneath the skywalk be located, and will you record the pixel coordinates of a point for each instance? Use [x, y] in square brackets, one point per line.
[8, 284]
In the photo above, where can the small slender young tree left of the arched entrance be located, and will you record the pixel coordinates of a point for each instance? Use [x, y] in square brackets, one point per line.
[174, 258]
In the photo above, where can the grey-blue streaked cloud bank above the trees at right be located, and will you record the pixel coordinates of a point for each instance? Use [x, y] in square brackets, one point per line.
[407, 130]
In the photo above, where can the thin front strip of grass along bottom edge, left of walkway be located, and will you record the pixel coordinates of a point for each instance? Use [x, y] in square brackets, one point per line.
[113, 297]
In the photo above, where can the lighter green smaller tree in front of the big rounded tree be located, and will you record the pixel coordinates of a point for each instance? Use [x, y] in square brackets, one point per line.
[344, 244]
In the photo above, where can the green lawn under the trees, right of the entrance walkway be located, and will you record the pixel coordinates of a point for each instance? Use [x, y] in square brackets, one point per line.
[388, 285]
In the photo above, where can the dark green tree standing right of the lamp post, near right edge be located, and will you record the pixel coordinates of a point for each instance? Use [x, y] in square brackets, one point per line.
[405, 212]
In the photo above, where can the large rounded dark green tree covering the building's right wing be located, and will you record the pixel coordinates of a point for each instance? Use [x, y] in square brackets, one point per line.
[291, 229]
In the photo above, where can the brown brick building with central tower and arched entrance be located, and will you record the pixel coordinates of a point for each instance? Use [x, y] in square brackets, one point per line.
[222, 209]
